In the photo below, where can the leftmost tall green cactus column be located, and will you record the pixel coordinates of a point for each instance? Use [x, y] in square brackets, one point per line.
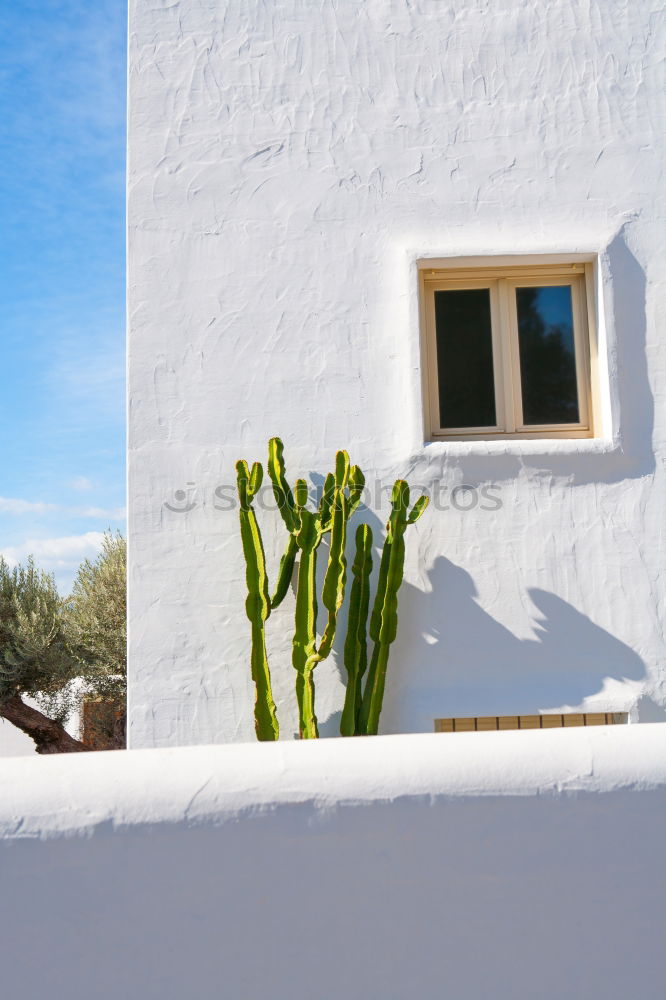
[257, 604]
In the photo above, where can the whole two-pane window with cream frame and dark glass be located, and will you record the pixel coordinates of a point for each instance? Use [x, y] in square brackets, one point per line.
[508, 351]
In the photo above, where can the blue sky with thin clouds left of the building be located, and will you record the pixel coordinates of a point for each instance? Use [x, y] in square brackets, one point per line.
[62, 261]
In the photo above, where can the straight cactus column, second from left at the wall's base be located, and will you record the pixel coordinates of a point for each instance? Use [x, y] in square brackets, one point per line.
[306, 623]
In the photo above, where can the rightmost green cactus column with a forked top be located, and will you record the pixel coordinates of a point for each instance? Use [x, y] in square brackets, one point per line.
[384, 618]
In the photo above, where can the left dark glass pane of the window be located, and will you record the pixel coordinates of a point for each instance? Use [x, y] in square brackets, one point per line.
[465, 358]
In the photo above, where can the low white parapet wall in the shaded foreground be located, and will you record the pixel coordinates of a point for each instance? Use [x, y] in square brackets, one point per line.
[484, 865]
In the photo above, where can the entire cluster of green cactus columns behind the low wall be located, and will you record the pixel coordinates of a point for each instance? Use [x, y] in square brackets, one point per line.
[306, 528]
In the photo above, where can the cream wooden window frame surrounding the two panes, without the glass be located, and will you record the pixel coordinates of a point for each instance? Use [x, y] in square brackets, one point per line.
[502, 282]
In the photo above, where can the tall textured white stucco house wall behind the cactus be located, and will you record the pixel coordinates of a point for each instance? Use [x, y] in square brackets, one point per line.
[288, 163]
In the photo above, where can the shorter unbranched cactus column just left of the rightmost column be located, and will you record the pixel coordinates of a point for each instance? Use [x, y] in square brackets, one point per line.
[356, 651]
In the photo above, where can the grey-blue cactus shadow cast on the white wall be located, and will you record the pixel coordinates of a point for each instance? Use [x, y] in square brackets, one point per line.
[471, 664]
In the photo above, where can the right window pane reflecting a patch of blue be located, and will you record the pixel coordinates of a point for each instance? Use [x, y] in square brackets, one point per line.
[547, 355]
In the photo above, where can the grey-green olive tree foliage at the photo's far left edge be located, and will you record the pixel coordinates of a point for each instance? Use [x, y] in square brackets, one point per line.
[35, 657]
